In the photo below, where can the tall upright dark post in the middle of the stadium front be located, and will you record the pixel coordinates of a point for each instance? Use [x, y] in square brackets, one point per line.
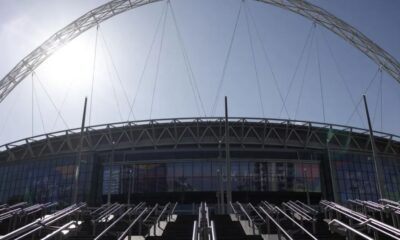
[228, 160]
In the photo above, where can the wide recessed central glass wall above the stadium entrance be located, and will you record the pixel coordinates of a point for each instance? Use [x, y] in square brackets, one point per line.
[202, 175]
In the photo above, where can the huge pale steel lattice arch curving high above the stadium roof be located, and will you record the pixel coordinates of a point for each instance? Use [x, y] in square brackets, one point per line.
[115, 7]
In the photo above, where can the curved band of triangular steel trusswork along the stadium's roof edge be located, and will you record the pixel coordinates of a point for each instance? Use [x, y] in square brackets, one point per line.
[245, 133]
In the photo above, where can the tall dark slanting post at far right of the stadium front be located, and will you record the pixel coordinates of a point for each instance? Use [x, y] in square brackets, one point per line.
[377, 163]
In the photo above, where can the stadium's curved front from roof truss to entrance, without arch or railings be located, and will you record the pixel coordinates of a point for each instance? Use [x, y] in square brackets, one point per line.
[183, 160]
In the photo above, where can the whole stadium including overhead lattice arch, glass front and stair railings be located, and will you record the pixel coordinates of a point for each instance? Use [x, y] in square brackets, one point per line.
[201, 177]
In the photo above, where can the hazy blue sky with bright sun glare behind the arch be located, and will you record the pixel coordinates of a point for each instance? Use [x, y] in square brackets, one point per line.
[173, 60]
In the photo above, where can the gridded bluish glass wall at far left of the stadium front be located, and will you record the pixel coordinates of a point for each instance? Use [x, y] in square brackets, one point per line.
[42, 180]
